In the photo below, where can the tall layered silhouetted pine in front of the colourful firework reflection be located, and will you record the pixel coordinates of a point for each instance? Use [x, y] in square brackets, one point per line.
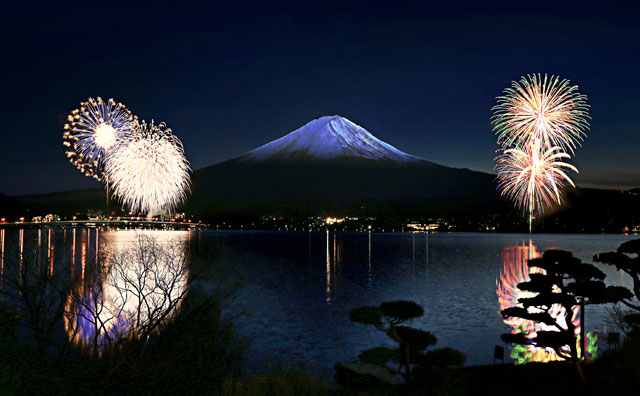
[565, 282]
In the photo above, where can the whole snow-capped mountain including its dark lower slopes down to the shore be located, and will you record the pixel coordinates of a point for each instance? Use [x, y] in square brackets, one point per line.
[331, 166]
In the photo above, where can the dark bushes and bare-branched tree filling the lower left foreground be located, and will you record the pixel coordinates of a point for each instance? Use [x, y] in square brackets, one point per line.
[140, 321]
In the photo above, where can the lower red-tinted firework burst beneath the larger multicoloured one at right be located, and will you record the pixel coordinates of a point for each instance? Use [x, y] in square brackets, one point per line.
[533, 177]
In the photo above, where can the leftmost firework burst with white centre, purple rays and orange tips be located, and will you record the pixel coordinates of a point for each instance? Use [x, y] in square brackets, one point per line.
[93, 131]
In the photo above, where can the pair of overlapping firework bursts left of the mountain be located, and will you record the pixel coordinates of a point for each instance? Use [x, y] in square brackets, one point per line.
[144, 163]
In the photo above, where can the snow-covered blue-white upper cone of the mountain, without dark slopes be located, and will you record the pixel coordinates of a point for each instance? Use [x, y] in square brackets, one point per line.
[326, 138]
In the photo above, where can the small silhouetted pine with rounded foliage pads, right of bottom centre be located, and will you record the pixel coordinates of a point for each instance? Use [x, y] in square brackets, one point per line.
[412, 342]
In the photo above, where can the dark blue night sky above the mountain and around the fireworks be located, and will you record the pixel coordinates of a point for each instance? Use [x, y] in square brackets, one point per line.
[228, 78]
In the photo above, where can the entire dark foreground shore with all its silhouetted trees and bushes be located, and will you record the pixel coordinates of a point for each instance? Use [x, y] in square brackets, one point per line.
[45, 312]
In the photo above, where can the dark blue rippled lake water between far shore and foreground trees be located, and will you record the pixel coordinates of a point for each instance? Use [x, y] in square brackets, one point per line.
[298, 288]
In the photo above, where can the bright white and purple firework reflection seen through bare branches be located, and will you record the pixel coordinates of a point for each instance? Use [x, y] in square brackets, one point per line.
[142, 276]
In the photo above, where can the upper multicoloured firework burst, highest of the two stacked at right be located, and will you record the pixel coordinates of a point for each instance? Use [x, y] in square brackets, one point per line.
[541, 108]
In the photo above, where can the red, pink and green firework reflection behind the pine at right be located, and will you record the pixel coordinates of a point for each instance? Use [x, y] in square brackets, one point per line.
[515, 271]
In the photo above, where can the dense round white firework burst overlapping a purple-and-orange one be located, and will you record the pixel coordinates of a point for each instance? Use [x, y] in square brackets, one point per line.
[149, 172]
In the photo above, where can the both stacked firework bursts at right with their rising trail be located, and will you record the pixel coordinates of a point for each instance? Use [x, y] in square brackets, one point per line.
[539, 122]
